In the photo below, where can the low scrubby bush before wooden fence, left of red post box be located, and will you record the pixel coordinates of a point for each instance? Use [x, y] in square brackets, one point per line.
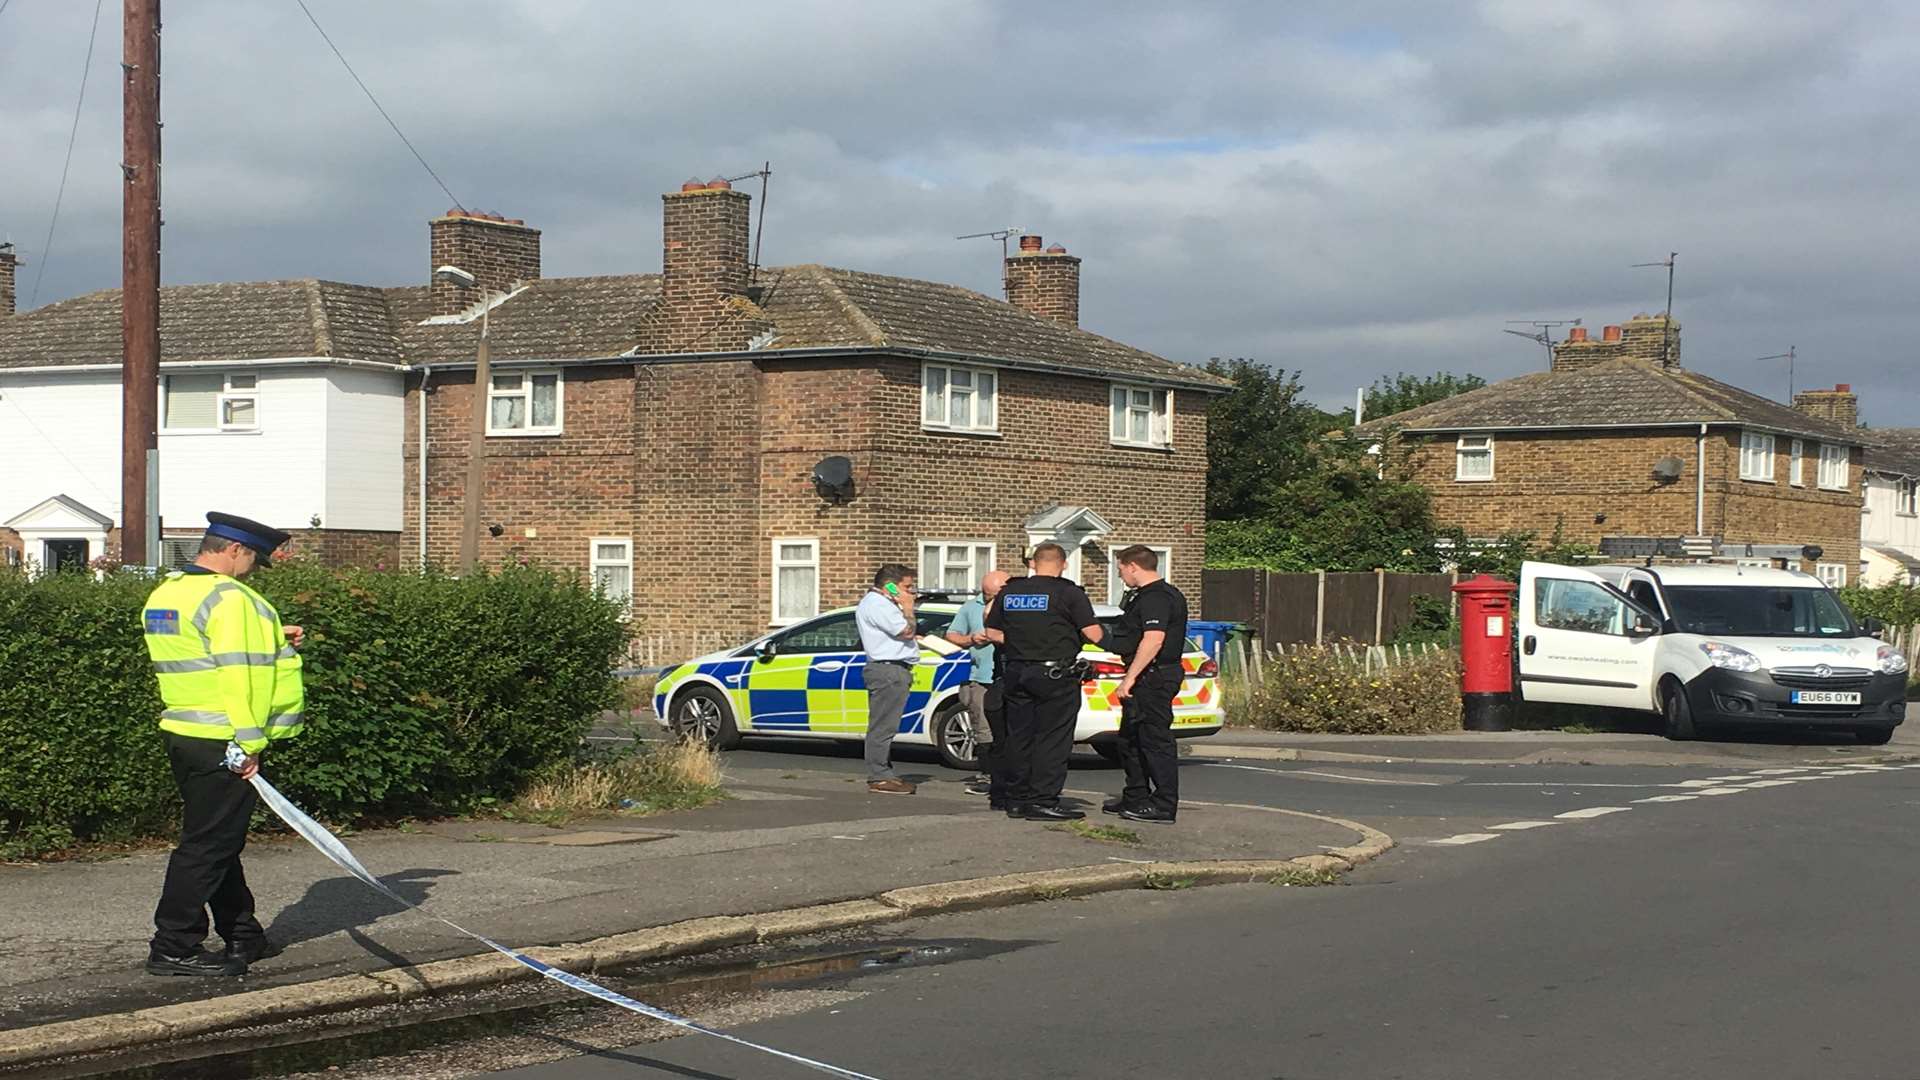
[1324, 691]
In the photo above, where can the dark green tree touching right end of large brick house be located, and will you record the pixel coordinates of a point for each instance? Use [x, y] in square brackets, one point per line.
[1259, 437]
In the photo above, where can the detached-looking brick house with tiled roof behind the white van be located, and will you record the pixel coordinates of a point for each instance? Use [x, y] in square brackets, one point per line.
[1620, 447]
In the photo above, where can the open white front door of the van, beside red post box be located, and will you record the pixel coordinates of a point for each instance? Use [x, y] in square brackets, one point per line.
[1583, 643]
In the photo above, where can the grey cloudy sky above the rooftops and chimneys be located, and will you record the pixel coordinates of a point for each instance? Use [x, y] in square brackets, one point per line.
[1337, 189]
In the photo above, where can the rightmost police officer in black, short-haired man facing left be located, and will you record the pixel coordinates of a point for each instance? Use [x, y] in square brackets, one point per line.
[1153, 641]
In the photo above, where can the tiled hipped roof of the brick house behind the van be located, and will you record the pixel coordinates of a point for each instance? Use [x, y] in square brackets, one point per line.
[1621, 393]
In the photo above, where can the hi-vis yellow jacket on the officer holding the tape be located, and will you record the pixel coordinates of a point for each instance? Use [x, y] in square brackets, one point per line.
[224, 664]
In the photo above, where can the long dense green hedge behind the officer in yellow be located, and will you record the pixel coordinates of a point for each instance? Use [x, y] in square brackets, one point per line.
[423, 693]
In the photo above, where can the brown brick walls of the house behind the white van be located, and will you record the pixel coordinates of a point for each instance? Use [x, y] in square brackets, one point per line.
[1547, 481]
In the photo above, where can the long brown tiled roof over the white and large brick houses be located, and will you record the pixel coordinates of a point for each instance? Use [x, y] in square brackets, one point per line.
[567, 318]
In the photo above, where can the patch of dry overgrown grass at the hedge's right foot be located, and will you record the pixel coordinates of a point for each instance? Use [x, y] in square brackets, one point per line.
[650, 779]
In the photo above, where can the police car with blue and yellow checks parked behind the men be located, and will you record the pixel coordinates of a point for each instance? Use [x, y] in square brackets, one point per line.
[809, 681]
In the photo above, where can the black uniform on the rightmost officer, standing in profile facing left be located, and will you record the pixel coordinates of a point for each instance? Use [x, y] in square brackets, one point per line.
[1147, 749]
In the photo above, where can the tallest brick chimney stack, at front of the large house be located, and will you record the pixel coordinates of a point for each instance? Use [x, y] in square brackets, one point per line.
[704, 268]
